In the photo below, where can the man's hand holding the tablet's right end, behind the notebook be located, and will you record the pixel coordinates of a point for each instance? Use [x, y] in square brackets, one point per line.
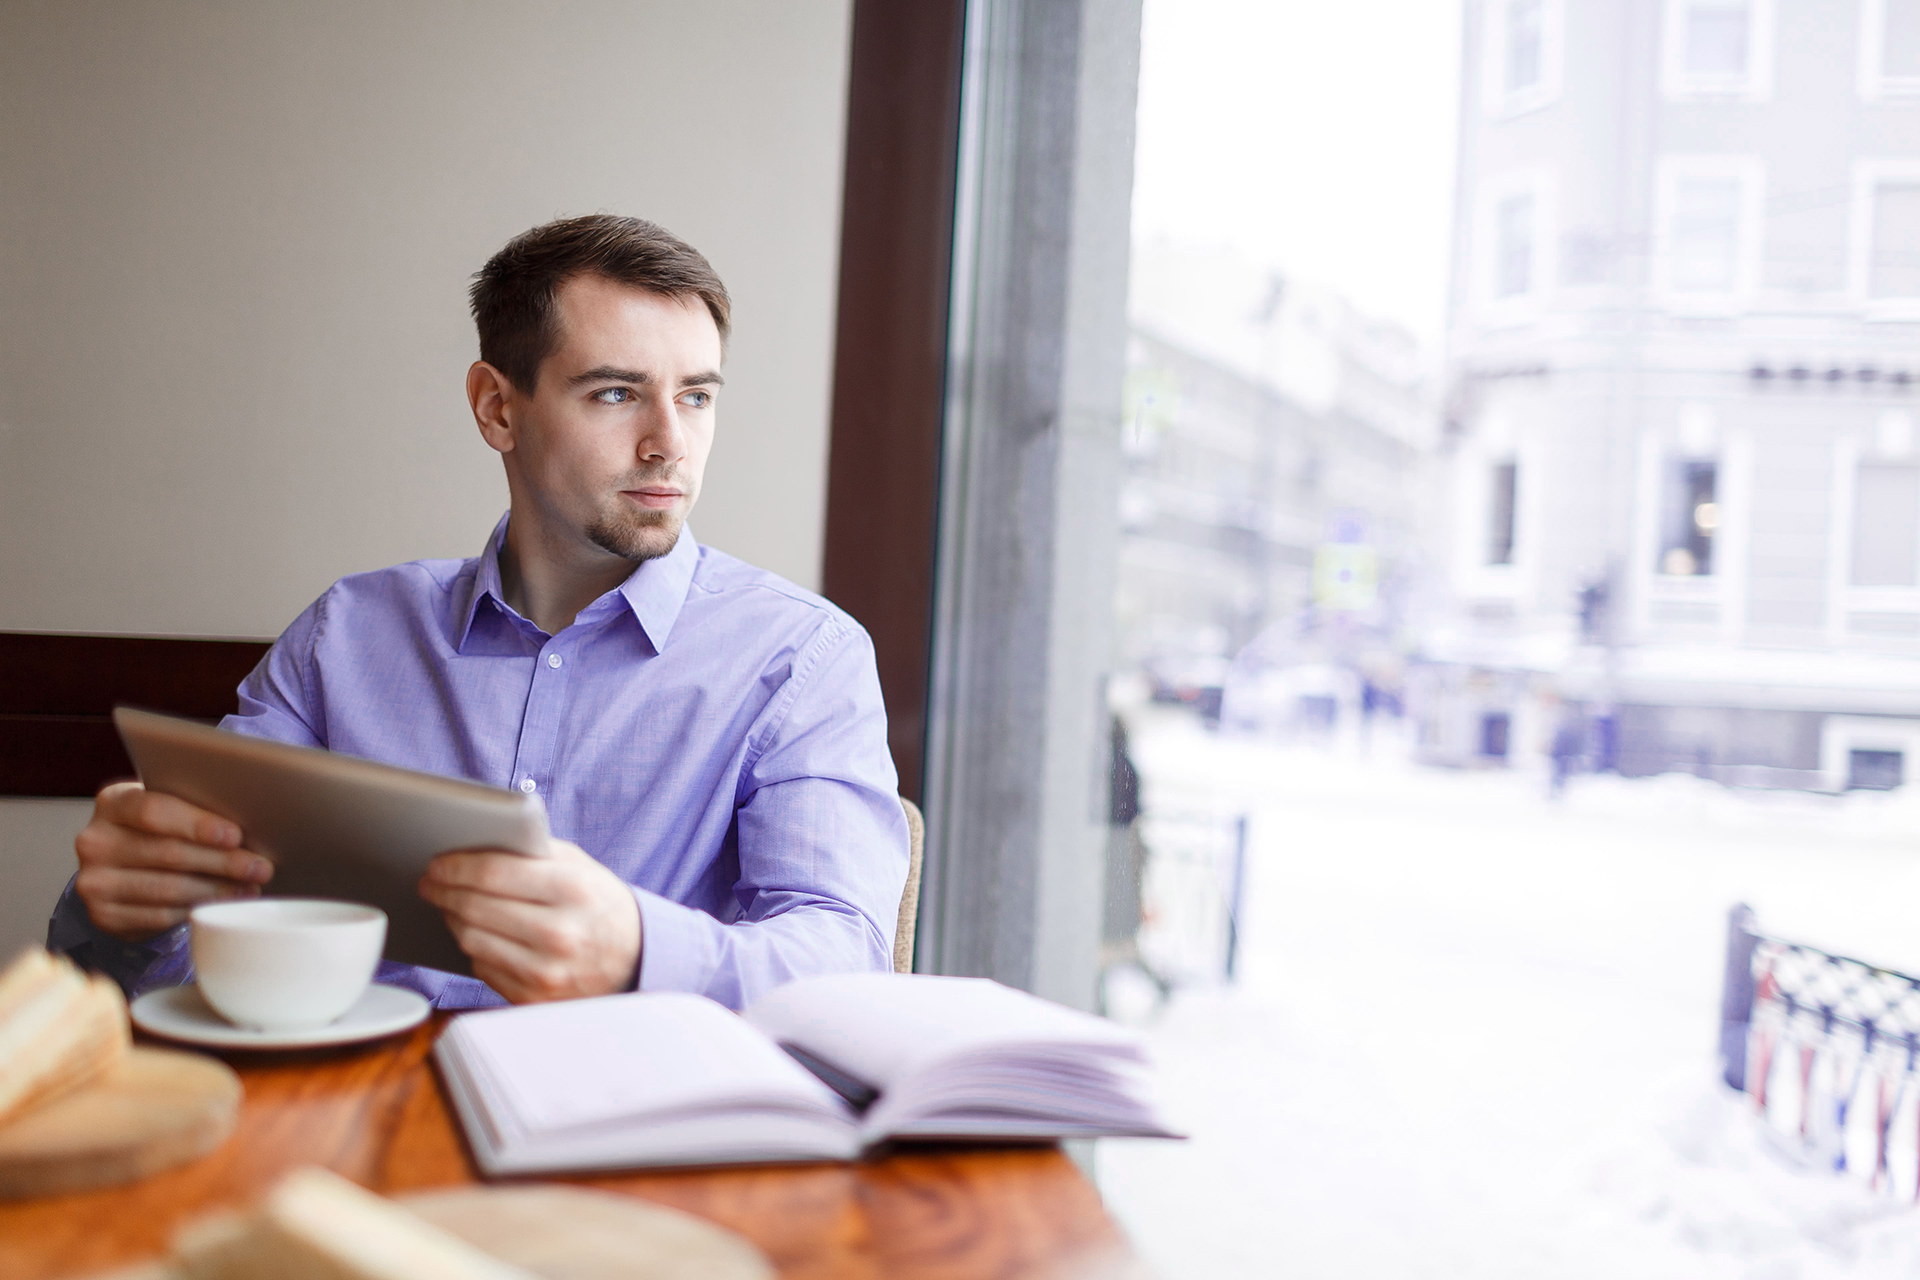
[540, 928]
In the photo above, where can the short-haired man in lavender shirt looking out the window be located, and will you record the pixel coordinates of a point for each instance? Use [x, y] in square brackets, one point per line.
[708, 736]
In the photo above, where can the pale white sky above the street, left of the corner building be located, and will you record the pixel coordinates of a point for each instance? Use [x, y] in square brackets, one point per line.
[1308, 135]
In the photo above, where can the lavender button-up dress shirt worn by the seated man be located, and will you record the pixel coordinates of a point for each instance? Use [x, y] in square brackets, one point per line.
[709, 732]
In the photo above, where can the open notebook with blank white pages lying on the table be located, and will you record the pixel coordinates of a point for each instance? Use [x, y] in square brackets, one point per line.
[817, 1070]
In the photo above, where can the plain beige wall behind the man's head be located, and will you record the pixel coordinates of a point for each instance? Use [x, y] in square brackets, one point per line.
[235, 243]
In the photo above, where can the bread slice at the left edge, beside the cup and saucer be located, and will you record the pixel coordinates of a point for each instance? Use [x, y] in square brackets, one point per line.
[59, 1030]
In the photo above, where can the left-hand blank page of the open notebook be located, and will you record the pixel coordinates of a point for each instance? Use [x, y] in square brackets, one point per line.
[587, 1062]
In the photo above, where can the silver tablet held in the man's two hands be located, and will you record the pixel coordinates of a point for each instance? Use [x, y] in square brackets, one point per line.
[337, 826]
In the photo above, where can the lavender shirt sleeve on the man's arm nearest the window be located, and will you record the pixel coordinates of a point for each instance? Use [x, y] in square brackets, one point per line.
[823, 843]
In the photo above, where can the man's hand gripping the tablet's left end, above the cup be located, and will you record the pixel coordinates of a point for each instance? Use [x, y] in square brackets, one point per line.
[149, 861]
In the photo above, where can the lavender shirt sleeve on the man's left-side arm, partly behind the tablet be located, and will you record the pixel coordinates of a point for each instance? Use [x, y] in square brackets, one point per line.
[274, 703]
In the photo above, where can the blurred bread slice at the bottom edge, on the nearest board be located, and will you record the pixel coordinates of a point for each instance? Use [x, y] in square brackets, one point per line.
[320, 1227]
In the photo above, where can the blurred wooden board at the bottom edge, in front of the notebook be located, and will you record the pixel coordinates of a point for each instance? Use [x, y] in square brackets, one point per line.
[565, 1233]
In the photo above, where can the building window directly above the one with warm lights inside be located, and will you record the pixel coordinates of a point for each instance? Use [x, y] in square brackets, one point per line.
[1708, 229]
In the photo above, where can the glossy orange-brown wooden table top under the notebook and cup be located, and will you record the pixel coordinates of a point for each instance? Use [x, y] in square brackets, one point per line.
[379, 1116]
